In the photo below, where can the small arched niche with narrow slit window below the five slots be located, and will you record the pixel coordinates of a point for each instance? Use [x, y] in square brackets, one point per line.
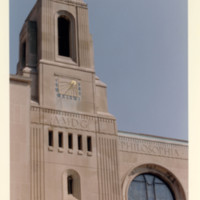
[72, 191]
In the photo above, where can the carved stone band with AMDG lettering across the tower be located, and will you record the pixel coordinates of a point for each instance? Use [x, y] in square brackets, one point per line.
[78, 121]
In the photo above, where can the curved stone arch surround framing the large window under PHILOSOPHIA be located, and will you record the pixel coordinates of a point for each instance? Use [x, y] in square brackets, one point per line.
[161, 172]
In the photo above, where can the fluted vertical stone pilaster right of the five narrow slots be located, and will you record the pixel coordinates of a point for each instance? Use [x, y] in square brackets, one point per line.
[109, 188]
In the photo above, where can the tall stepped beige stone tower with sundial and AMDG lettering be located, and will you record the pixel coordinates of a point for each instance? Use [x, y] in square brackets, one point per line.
[72, 138]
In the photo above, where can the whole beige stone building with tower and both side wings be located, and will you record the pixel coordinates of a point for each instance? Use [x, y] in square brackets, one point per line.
[64, 144]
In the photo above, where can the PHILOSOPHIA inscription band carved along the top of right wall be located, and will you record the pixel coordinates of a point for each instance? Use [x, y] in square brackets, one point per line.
[153, 148]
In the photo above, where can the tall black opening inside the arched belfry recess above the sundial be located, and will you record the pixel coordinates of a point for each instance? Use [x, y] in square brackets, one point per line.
[63, 37]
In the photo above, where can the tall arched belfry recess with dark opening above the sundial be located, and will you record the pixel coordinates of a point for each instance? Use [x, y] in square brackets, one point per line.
[65, 35]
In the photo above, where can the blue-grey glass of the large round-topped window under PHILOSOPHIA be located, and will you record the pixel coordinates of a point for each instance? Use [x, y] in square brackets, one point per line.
[149, 187]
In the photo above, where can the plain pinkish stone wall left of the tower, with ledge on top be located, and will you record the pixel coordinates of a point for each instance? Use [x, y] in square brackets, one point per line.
[19, 138]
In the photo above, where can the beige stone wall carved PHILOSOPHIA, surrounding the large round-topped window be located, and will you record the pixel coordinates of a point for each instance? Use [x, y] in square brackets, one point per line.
[163, 157]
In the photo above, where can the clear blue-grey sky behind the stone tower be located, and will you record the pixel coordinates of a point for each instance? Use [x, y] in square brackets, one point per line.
[140, 49]
